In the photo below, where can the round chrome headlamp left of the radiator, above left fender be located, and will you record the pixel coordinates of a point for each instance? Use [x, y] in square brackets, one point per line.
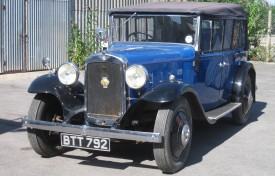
[68, 73]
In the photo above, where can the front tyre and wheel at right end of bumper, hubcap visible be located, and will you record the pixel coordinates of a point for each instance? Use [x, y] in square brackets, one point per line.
[174, 123]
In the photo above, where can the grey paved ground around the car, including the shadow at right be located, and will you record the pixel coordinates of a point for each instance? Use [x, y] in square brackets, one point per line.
[217, 150]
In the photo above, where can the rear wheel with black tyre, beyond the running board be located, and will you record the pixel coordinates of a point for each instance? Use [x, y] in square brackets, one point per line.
[241, 114]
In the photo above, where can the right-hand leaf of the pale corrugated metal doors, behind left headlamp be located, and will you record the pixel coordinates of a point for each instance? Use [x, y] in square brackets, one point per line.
[47, 32]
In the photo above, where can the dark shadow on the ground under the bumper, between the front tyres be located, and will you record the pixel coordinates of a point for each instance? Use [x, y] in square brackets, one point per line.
[132, 154]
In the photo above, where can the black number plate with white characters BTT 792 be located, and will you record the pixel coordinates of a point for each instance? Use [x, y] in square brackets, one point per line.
[85, 142]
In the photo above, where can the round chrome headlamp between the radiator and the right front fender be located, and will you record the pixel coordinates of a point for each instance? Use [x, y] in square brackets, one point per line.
[136, 76]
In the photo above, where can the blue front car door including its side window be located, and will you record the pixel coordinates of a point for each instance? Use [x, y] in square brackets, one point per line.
[210, 71]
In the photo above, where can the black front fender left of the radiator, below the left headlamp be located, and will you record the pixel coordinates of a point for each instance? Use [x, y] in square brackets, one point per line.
[70, 97]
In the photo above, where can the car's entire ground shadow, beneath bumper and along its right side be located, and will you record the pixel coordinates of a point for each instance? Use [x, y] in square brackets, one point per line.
[205, 138]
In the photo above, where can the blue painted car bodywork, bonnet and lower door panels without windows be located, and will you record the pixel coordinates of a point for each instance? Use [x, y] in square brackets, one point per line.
[213, 84]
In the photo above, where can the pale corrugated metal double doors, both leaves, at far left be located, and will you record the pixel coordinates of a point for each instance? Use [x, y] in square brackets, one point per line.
[31, 30]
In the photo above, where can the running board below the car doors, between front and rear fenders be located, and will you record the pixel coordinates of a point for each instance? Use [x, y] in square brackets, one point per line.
[222, 111]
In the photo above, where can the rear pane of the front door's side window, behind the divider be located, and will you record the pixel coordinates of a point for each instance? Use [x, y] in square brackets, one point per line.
[217, 35]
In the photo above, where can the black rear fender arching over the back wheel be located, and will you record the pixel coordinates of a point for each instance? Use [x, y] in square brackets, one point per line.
[245, 68]
